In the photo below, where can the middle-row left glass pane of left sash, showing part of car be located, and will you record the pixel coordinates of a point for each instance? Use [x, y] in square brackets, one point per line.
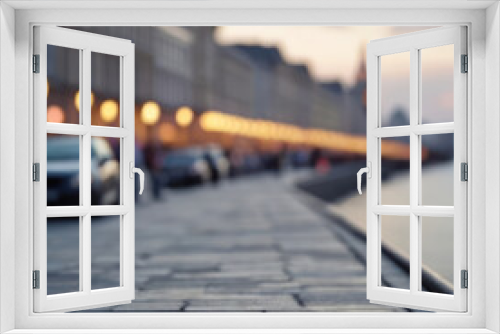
[63, 170]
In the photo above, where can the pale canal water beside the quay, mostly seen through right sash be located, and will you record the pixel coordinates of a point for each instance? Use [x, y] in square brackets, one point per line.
[437, 233]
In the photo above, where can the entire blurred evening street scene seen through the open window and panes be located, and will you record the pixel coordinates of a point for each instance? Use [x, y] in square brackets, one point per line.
[251, 160]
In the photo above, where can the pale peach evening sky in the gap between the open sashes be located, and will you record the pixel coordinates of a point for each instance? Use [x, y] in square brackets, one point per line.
[330, 52]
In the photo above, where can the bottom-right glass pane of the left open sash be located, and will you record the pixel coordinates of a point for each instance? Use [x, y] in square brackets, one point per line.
[105, 252]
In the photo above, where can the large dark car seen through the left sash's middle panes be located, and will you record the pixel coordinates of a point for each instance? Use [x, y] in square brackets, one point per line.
[63, 167]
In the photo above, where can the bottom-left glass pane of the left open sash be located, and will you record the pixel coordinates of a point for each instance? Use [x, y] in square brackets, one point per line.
[63, 255]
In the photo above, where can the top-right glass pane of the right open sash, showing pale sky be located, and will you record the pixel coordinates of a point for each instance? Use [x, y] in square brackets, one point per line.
[437, 84]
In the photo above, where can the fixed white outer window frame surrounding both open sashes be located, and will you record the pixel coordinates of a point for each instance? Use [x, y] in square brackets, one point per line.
[484, 49]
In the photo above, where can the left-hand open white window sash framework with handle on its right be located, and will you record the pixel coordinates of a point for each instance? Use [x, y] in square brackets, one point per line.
[86, 44]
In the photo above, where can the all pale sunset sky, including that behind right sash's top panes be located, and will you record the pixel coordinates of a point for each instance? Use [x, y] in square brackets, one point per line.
[335, 53]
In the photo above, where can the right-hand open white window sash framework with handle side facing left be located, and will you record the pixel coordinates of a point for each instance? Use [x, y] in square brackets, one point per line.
[416, 297]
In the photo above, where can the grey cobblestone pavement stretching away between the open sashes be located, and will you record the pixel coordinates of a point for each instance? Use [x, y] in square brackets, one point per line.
[245, 245]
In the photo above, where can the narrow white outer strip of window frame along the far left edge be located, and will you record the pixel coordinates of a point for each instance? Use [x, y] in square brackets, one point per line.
[7, 18]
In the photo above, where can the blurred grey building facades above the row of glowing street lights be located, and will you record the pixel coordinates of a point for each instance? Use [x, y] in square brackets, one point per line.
[185, 66]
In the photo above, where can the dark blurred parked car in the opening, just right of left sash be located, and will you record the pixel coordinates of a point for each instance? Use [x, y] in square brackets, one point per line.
[185, 167]
